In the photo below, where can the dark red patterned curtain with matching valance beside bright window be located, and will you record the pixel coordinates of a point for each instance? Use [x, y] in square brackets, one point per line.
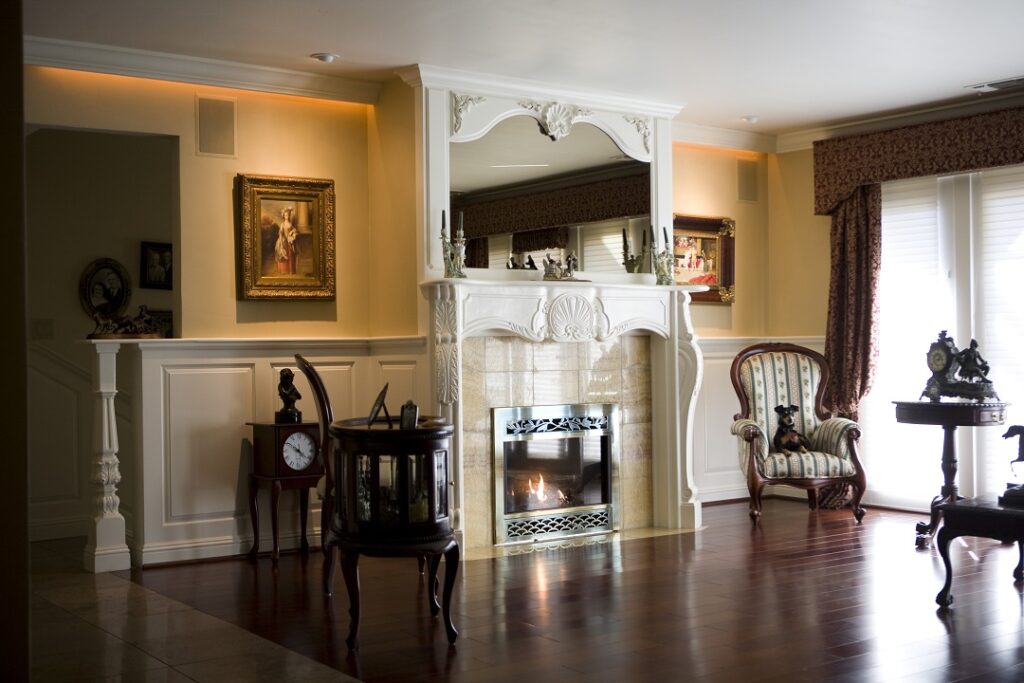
[847, 174]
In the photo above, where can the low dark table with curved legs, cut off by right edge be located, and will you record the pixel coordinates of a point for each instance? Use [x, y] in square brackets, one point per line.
[984, 519]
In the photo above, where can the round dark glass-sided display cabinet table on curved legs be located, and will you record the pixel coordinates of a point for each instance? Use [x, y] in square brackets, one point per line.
[392, 500]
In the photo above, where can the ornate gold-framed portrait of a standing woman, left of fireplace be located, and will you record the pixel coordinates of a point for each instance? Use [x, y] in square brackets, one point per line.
[286, 238]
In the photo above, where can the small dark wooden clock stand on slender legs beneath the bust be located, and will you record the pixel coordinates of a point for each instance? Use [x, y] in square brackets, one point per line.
[285, 456]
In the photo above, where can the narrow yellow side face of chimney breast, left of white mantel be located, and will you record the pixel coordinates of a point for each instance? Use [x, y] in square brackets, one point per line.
[393, 278]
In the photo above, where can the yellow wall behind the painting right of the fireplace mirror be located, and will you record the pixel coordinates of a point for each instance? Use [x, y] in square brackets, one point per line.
[705, 185]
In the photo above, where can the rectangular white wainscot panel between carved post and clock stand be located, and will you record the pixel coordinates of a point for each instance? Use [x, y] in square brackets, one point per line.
[207, 411]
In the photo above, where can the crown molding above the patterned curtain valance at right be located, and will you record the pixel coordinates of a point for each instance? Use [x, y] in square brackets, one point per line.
[804, 140]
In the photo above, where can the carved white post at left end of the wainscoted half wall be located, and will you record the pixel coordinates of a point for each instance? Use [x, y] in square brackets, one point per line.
[106, 549]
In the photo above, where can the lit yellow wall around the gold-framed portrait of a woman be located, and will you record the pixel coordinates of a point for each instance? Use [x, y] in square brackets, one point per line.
[277, 136]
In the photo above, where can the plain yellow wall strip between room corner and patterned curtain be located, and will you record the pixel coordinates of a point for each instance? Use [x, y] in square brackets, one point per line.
[798, 253]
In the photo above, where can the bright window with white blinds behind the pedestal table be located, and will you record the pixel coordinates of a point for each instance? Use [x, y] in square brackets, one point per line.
[953, 259]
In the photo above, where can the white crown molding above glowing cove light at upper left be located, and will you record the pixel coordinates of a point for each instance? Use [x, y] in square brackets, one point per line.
[144, 64]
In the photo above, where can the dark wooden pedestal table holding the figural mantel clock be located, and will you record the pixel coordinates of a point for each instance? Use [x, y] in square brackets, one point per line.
[950, 417]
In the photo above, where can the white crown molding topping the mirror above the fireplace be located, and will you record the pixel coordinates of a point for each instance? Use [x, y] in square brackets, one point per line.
[502, 87]
